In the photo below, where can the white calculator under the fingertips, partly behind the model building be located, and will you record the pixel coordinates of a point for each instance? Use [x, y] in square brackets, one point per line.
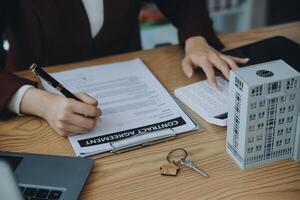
[205, 101]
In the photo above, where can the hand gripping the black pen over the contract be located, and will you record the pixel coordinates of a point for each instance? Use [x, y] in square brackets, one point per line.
[66, 116]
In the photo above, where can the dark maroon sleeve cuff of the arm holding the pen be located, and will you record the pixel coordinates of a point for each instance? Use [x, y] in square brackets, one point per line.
[9, 84]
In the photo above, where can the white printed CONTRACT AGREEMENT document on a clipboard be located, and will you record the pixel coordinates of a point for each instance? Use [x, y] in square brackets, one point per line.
[136, 108]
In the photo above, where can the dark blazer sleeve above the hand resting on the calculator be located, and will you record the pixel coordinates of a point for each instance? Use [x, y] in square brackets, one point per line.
[191, 18]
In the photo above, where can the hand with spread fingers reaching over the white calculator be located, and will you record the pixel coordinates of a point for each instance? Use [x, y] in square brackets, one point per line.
[200, 54]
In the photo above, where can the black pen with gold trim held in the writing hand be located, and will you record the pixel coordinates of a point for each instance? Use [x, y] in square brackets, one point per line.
[53, 82]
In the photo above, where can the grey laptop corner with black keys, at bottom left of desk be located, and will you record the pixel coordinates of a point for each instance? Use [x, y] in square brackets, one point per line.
[46, 177]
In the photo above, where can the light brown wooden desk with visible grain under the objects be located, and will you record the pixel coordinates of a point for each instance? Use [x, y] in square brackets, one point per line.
[135, 174]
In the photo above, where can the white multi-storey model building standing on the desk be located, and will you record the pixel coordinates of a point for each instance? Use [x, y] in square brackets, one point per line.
[263, 112]
